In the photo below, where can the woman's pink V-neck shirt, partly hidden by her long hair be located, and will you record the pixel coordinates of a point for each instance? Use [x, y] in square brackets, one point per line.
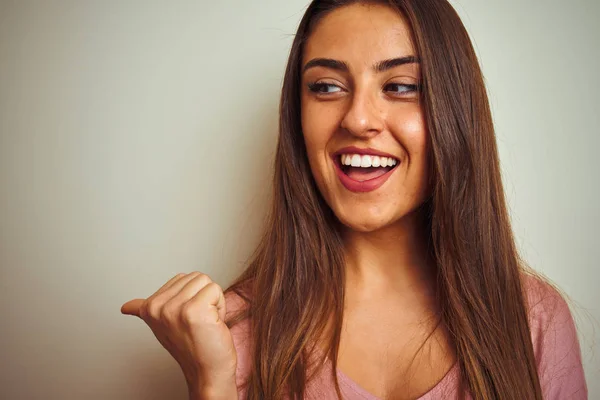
[553, 333]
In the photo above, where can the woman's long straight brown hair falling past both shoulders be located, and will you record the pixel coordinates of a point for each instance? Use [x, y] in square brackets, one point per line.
[295, 280]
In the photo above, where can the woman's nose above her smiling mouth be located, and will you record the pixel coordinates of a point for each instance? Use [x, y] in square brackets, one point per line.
[363, 118]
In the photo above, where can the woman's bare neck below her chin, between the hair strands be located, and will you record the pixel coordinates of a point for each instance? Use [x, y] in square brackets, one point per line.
[390, 261]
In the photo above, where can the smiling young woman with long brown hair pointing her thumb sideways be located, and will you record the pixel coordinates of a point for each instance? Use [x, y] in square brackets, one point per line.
[387, 269]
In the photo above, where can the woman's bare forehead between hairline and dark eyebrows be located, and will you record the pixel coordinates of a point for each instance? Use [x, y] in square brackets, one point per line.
[360, 34]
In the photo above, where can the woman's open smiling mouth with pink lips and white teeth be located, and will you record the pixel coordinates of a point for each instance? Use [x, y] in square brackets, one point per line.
[362, 168]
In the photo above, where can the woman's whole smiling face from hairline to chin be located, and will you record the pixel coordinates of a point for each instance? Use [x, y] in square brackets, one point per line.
[363, 125]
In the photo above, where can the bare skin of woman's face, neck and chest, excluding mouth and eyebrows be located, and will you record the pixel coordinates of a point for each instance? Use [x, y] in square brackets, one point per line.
[392, 344]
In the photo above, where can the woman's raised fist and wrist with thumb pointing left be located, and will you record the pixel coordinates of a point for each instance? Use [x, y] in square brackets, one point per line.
[187, 316]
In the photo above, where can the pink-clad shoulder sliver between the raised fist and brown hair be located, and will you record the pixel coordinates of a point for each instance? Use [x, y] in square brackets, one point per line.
[240, 333]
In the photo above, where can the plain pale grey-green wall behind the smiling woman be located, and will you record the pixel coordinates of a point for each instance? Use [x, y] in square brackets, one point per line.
[136, 141]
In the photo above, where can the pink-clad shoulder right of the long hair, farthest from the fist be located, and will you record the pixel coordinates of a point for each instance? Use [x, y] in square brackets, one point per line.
[555, 342]
